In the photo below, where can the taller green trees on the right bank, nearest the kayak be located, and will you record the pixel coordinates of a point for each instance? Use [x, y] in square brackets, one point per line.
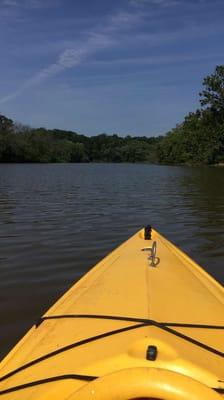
[199, 139]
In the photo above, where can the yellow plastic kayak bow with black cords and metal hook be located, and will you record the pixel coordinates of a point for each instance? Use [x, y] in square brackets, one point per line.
[145, 322]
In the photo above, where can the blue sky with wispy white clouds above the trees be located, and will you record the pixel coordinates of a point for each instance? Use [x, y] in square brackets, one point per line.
[127, 67]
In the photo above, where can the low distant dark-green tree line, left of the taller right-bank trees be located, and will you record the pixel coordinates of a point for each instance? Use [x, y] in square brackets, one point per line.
[23, 144]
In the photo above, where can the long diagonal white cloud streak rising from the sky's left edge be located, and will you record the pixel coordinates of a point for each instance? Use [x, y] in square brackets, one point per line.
[77, 54]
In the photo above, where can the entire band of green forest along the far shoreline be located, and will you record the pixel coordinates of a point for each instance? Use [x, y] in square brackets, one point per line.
[199, 139]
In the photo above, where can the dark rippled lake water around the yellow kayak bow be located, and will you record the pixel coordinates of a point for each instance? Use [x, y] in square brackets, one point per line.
[57, 221]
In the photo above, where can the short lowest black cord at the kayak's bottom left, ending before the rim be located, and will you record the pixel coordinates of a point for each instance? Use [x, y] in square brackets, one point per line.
[48, 380]
